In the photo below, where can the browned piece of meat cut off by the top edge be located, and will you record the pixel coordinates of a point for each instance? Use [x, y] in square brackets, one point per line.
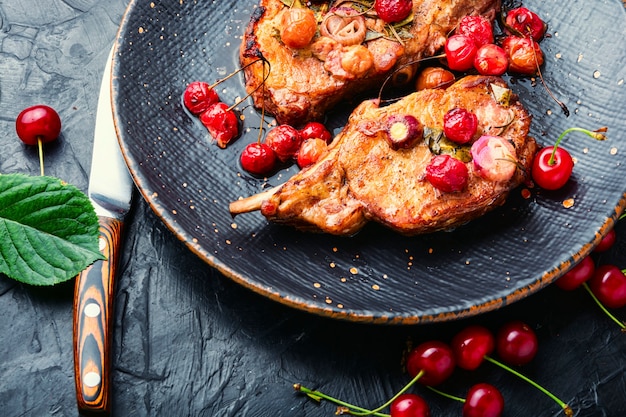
[304, 83]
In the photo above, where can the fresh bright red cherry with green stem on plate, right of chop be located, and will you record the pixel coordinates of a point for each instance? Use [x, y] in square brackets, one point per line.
[552, 176]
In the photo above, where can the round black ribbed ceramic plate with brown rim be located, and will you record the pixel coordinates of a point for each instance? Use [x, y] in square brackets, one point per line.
[375, 276]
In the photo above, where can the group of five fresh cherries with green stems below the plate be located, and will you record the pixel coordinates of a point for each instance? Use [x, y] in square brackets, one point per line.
[432, 362]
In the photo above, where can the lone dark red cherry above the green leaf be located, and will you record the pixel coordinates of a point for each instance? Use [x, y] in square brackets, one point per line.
[38, 123]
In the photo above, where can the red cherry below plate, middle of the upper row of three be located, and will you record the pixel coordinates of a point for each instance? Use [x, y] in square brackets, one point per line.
[471, 345]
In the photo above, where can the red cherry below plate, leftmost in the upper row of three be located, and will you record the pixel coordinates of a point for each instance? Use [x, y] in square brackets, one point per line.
[435, 359]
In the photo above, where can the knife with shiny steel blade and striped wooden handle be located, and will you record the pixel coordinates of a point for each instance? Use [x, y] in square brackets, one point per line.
[110, 191]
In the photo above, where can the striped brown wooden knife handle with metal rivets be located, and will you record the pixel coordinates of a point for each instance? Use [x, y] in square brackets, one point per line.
[93, 323]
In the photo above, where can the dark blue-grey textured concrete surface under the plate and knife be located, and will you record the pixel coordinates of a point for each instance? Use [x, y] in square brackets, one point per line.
[189, 342]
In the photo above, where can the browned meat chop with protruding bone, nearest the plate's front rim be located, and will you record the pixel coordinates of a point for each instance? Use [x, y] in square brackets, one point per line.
[362, 179]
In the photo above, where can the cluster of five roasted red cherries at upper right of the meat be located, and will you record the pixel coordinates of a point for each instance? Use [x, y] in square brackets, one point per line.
[473, 45]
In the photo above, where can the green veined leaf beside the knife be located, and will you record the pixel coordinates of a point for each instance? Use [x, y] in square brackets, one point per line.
[48, 230]
